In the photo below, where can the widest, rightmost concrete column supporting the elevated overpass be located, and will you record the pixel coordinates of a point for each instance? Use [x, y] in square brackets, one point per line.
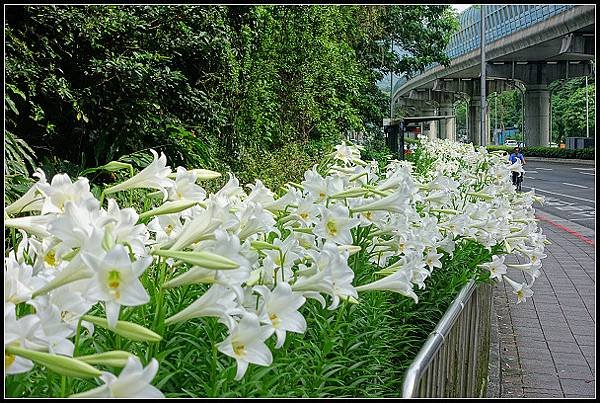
[537, 115]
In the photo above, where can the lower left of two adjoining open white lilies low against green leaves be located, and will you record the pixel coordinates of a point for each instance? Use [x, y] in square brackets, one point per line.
[246, 344]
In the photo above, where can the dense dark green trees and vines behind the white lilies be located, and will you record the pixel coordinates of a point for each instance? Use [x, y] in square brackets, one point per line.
[209, 85]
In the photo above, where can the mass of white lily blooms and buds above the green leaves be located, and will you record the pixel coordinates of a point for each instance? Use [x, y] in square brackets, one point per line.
[260, 254]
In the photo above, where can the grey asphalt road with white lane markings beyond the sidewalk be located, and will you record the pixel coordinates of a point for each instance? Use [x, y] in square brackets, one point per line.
[569, 189]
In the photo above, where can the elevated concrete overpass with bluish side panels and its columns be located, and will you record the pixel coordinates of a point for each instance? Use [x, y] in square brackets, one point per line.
[531, 54]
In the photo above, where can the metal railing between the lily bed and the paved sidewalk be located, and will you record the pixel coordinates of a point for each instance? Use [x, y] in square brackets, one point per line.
[454, 360]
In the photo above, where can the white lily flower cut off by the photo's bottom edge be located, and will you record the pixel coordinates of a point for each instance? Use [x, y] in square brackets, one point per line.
[133, 381]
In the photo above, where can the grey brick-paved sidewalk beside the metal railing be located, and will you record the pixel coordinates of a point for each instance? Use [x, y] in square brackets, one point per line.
[545, 347]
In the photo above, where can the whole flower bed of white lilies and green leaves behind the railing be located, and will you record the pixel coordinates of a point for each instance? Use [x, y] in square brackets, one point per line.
[325, 288]
